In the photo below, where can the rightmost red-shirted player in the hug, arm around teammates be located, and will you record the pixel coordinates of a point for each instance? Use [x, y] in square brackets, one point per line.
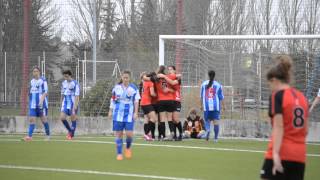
[175, 81]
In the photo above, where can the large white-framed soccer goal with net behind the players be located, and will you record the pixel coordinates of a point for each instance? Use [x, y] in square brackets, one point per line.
[240, 63]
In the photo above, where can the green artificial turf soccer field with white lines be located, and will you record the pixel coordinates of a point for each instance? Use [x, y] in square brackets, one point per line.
[94, 158]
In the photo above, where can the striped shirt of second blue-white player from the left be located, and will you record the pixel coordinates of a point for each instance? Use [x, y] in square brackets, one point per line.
[69, 89]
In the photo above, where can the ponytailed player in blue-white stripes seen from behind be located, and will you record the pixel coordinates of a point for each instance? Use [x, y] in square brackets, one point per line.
[211, 95]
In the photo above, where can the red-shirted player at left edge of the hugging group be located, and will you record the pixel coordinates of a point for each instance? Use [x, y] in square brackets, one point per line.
[147, 93]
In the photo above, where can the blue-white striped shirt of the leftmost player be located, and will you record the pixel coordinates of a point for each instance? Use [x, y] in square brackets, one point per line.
[38, 87]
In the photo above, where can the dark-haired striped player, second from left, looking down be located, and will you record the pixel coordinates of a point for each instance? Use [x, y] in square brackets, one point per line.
[70, 92]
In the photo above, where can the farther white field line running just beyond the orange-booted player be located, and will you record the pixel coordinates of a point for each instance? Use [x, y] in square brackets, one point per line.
[163, 145]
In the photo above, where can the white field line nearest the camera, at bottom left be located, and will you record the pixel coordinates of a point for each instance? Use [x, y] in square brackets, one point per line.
[90, 172]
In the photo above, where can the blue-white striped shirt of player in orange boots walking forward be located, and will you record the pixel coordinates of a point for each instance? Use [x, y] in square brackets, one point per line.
[123, 99]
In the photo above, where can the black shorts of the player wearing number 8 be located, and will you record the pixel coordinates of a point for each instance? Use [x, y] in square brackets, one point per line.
[292, 170]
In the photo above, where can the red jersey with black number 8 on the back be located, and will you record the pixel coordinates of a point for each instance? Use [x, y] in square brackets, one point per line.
[293, 106]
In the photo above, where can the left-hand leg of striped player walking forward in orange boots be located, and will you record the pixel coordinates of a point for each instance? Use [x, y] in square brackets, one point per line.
[118, 129]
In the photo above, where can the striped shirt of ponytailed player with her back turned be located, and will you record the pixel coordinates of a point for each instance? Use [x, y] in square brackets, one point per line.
[212, 96]
